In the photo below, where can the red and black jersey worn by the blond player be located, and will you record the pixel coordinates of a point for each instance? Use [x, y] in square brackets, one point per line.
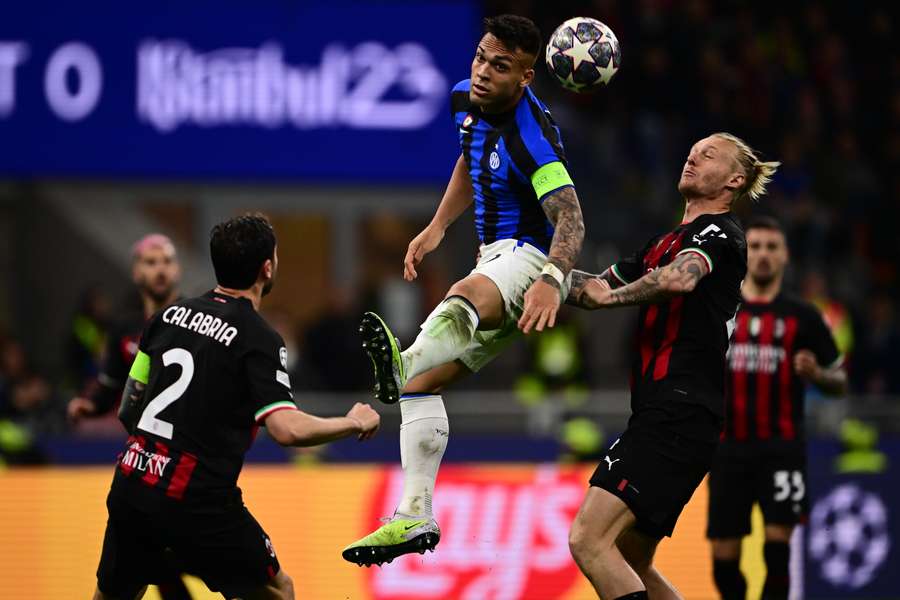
[681, 343]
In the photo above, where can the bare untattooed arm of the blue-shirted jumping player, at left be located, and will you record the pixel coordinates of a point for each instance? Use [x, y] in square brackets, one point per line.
[457, 198]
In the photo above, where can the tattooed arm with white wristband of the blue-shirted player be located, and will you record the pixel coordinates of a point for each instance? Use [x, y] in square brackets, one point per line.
[542, 298]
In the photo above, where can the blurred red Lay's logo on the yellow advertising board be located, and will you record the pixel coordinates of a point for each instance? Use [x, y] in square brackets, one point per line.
[504, 535]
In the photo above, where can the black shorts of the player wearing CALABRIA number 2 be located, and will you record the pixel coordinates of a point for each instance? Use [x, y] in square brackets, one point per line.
[221, 544]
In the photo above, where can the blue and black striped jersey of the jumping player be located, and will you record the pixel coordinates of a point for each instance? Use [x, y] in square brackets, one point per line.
[502, 152]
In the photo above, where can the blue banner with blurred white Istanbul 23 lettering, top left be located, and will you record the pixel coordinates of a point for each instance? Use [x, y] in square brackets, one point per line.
[288, 90]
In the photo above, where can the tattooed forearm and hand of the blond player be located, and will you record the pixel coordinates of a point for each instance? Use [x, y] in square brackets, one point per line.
[679, 277]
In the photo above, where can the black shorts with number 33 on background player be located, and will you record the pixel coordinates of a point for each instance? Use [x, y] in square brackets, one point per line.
[746, 473]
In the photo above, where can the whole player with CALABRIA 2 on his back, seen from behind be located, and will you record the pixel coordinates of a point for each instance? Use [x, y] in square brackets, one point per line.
[212, 371]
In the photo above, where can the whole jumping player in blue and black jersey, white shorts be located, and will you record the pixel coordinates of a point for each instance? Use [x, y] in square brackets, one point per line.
[530, 226]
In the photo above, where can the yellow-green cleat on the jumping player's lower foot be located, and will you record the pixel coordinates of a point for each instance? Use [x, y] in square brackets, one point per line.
[400, 535]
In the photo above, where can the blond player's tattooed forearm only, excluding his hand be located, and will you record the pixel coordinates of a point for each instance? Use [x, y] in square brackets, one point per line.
[678, 277]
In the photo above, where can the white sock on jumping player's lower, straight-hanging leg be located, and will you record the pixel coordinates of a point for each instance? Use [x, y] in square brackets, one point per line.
[423, 438]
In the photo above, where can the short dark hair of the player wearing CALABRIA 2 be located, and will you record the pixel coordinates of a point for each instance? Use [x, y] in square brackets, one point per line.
[239, 247]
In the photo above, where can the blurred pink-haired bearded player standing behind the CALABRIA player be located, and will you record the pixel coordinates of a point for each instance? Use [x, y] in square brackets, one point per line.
[156, 272]
